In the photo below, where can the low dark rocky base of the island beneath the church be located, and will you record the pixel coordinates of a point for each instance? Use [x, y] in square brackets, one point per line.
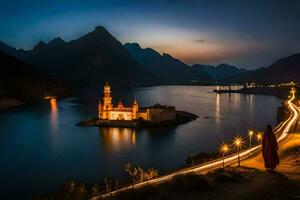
[181, 118]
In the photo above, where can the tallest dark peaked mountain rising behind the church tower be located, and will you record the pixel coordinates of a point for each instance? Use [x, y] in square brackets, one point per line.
[89, 61]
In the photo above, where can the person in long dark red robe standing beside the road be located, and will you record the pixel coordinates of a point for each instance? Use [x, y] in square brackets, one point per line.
[269, 149]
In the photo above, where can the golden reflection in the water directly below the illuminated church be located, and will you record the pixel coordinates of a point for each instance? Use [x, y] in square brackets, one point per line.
[117, 139]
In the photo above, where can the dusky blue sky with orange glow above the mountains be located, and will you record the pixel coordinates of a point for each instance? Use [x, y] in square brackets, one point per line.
[248, 34]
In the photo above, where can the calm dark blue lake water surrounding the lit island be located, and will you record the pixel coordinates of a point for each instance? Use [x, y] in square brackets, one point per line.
[40, 146]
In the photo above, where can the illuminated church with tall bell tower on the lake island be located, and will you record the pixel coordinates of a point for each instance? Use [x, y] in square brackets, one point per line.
[154, 114]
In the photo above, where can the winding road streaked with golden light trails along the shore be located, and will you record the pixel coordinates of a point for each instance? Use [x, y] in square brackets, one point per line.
[281, 131]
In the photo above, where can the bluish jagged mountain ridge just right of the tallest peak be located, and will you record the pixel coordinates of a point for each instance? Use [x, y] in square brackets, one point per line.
[169, 70]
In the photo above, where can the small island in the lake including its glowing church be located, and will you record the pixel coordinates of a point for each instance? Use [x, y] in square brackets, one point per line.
[121, 116]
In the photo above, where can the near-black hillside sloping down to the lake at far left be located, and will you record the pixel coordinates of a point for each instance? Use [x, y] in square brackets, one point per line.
[21, 81]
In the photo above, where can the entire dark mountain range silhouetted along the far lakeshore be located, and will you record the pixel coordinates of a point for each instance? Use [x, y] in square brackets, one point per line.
[97, 57]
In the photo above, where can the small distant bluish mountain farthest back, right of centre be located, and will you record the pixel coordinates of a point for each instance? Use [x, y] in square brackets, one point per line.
[219, 72]
